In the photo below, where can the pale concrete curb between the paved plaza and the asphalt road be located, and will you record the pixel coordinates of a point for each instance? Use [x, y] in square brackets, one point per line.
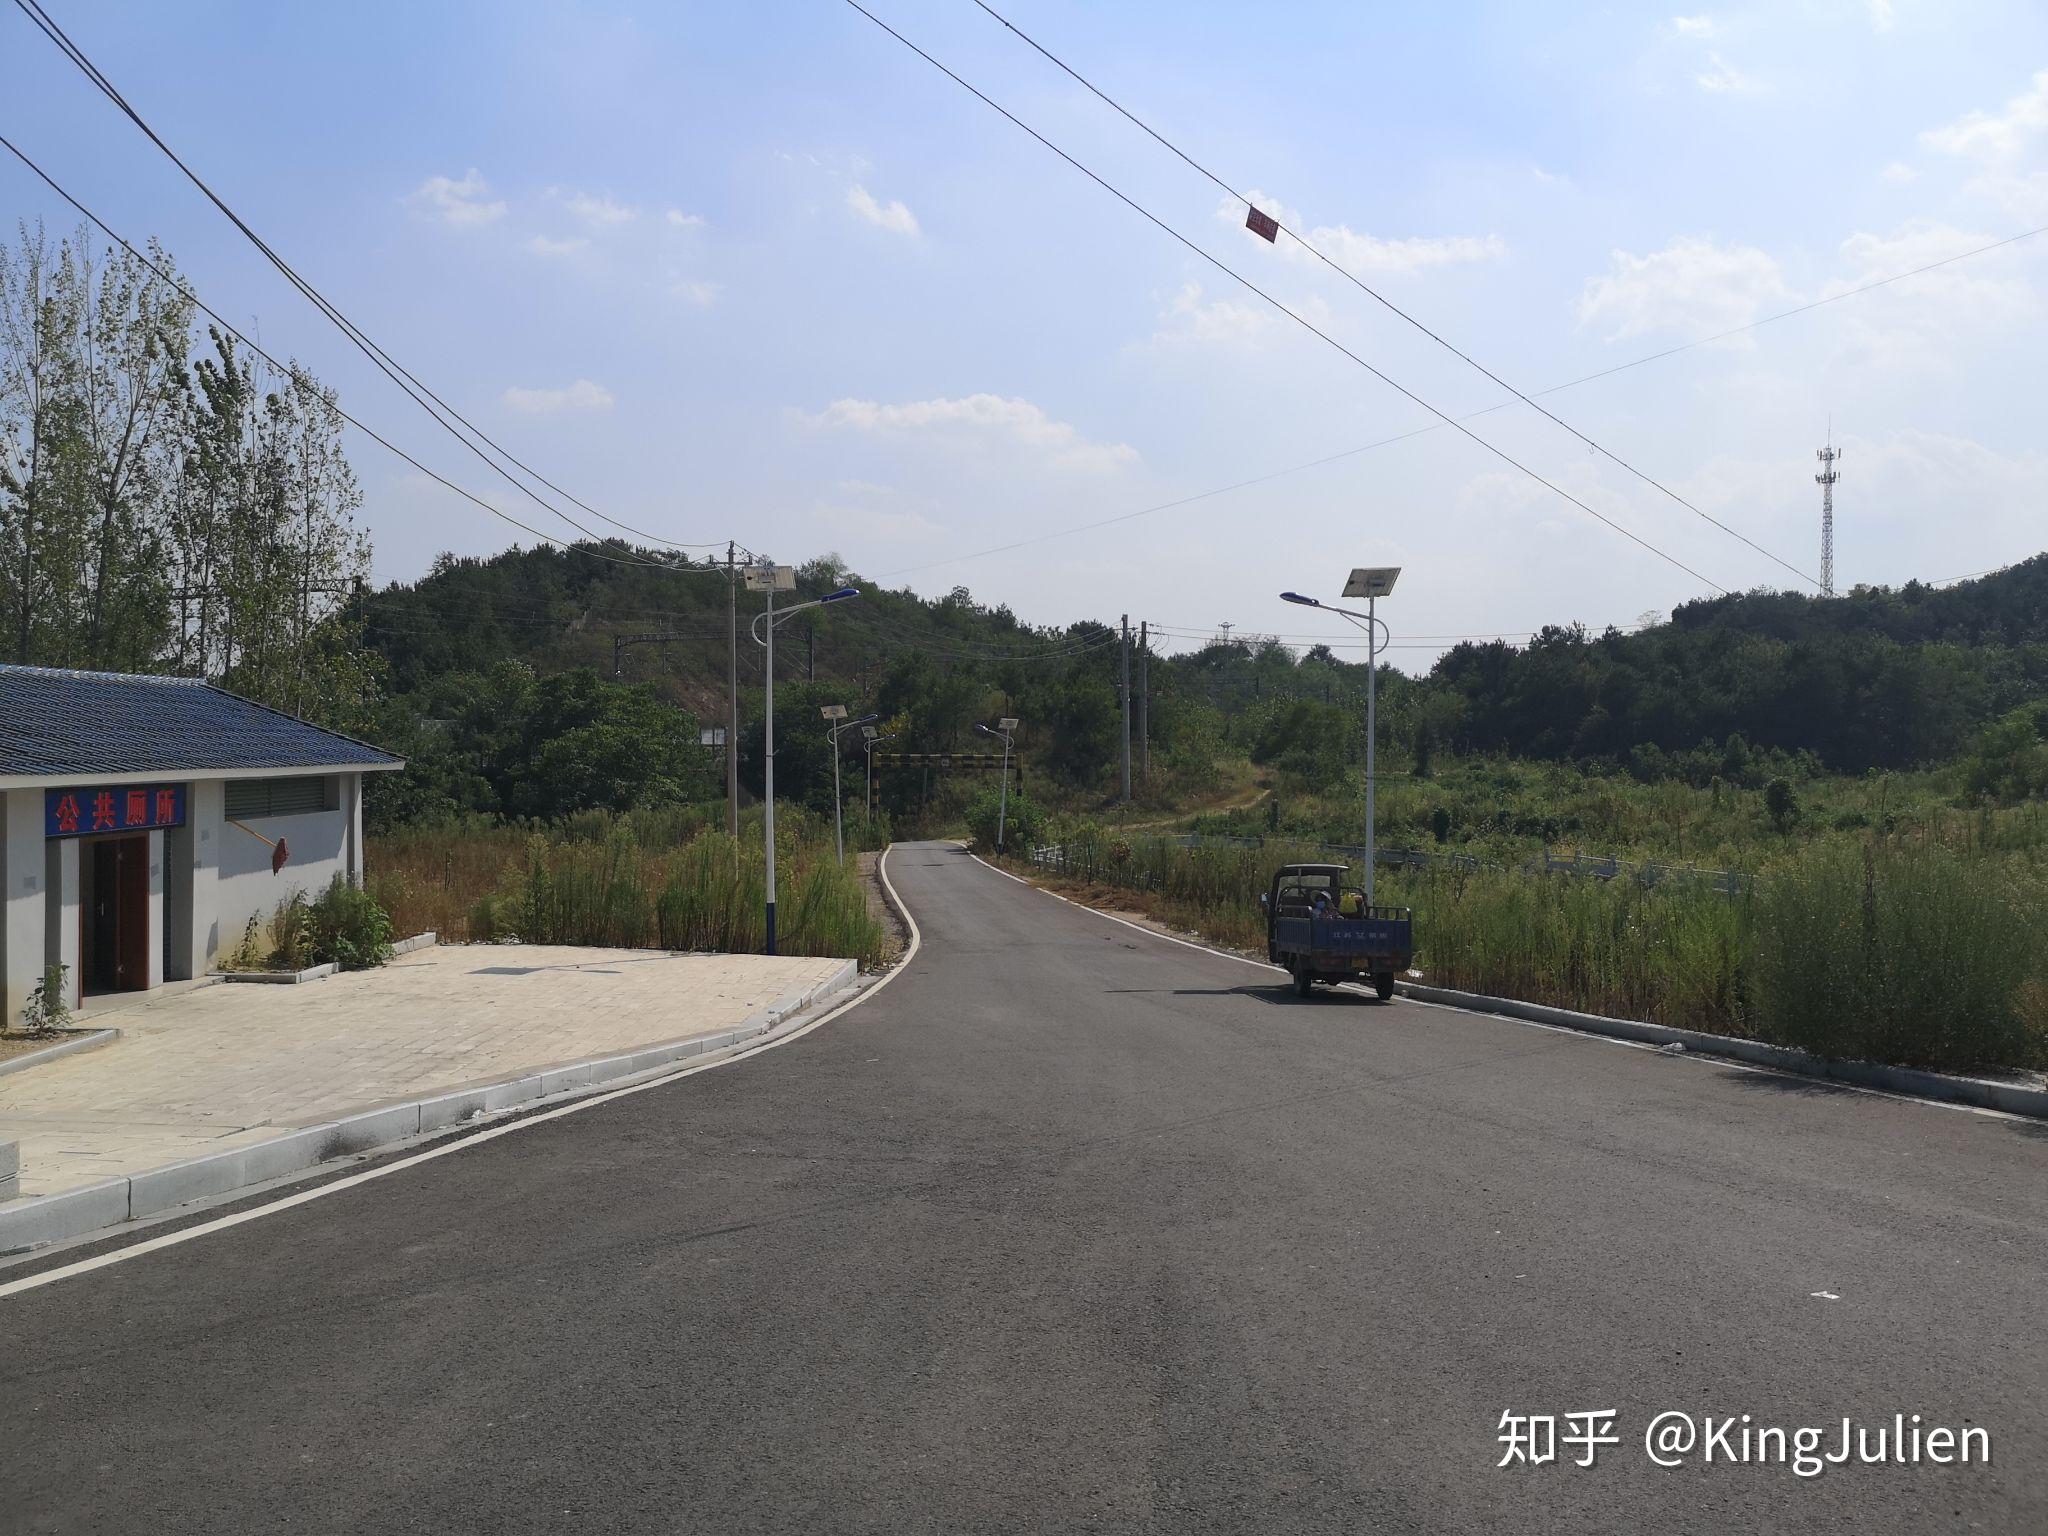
[38, 1220]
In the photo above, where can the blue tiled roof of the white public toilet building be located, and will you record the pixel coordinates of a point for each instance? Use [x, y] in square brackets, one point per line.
[79, 724]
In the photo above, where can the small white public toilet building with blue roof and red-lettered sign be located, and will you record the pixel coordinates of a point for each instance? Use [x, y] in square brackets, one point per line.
[146, 820]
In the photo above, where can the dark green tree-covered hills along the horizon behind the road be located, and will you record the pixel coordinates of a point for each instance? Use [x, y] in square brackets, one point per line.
[1732, 687]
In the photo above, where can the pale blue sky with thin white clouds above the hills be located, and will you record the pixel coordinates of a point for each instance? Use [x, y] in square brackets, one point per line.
[759, 271]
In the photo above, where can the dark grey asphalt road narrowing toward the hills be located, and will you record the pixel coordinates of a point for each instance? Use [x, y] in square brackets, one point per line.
[1080, 1230]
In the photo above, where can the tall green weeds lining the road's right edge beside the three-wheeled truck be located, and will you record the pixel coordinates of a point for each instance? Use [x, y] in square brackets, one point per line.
[1891, 949]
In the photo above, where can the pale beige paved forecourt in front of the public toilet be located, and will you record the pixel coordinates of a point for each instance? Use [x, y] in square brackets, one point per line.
[224, 1066]
